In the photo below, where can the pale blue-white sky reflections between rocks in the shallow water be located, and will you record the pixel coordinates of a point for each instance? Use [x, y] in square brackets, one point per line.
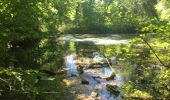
[89, 74]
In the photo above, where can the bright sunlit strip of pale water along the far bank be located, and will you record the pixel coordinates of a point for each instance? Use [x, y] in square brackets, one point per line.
[97, 39]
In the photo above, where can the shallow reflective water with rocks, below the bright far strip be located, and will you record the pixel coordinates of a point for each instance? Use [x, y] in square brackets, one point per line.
[86, 54]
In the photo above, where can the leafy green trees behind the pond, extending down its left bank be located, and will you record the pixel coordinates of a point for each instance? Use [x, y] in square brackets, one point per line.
[24, 25]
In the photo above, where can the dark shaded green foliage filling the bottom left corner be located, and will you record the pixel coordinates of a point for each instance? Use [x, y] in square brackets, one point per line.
[29, 85]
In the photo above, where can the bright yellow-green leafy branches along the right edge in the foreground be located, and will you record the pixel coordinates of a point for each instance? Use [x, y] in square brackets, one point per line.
[149, 76]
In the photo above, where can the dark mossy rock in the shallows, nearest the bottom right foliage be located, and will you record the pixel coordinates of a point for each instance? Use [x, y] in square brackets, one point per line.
[113, 89]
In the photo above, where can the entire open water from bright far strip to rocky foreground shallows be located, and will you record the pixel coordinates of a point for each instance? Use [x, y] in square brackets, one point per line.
[90, 82]
